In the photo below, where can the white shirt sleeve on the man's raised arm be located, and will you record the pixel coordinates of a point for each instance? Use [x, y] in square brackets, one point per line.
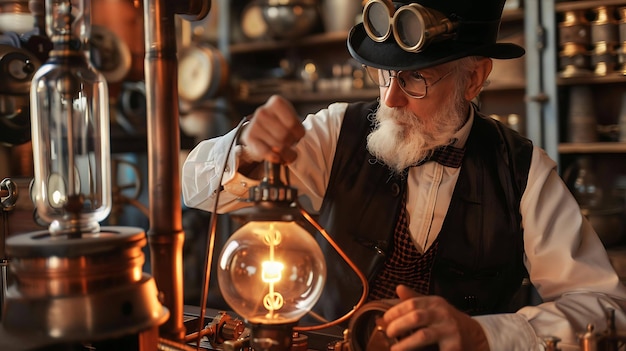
[309, 173]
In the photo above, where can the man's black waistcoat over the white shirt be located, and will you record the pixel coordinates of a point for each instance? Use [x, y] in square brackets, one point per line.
[479, 265]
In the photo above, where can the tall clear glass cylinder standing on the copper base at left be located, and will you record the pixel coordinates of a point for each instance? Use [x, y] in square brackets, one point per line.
[70, 127]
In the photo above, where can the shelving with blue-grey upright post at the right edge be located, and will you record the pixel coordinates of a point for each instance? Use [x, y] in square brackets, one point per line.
[549, 95]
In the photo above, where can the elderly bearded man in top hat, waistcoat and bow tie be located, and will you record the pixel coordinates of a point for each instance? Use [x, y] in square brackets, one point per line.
[441, 207]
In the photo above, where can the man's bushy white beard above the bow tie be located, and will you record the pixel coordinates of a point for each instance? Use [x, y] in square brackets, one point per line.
[401, 139]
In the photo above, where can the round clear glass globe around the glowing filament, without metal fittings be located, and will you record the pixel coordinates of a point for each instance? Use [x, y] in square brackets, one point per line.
[271, 272]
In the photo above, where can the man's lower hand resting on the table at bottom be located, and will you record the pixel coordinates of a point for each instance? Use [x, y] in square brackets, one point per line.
[418, 320]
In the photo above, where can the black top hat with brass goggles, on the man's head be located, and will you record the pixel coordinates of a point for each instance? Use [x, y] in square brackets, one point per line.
[412, 35]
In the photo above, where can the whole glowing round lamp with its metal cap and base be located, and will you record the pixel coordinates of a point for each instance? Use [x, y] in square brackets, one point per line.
[271, 271]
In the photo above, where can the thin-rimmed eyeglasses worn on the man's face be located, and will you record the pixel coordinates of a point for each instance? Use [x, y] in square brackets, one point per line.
[412, 83]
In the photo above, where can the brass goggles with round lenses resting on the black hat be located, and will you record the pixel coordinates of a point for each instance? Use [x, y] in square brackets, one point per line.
[432, 25]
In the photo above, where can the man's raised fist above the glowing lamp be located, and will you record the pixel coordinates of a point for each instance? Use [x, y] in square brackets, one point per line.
[272, 132]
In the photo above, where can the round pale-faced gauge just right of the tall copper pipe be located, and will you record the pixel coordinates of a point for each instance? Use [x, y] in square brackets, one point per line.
[202, 73]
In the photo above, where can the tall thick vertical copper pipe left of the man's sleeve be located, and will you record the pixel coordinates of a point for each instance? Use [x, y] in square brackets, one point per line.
[165, 236]
